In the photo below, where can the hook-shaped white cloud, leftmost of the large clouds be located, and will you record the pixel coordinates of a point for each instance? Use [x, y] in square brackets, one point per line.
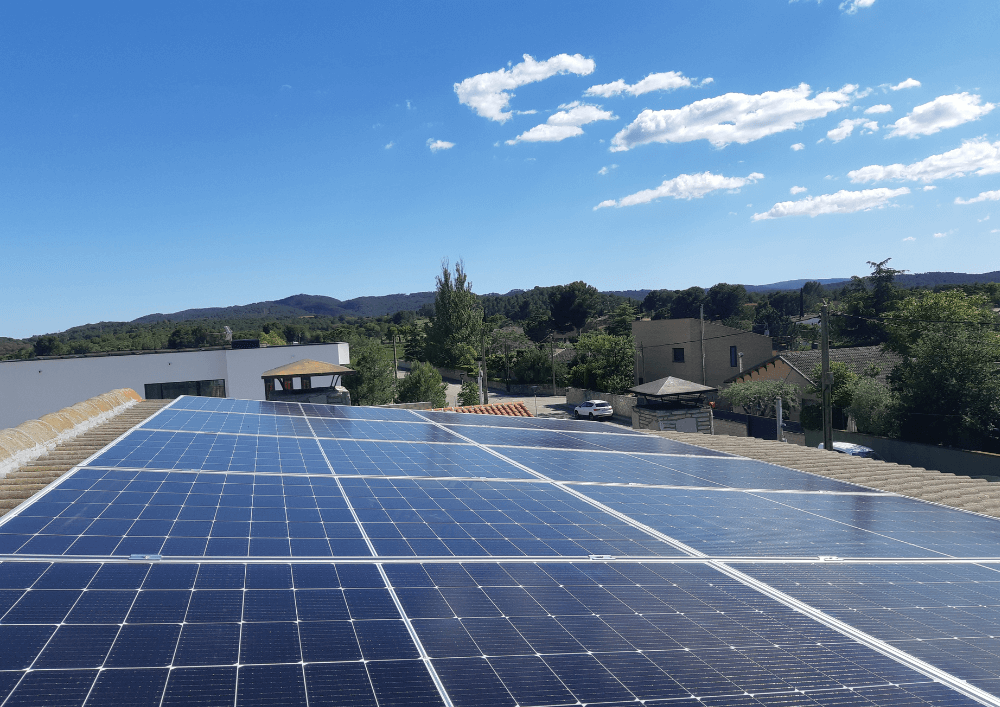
[489, 94]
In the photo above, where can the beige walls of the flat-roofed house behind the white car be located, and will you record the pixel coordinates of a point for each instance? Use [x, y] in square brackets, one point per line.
[655, 341]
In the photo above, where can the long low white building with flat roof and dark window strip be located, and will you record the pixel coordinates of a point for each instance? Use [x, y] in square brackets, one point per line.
[30, 389]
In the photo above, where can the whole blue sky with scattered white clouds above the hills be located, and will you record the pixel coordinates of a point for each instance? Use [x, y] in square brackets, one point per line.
[160, 156]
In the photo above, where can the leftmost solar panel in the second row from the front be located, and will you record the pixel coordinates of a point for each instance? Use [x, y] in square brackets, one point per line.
[125, 512]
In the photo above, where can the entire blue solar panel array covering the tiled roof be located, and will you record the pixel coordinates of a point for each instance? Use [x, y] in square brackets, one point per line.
[248, 553]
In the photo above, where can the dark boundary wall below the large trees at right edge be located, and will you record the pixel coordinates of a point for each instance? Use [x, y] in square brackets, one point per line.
[953, 461]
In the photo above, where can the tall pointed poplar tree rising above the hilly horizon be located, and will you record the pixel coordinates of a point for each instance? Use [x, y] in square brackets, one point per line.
[453, 336]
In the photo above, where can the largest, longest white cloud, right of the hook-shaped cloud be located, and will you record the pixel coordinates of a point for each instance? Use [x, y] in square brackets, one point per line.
[732, 117]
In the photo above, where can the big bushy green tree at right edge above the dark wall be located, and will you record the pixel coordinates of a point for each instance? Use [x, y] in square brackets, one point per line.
[949, 387]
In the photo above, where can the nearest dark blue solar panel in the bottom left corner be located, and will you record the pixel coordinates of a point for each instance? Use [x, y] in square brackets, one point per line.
[272, 632]
